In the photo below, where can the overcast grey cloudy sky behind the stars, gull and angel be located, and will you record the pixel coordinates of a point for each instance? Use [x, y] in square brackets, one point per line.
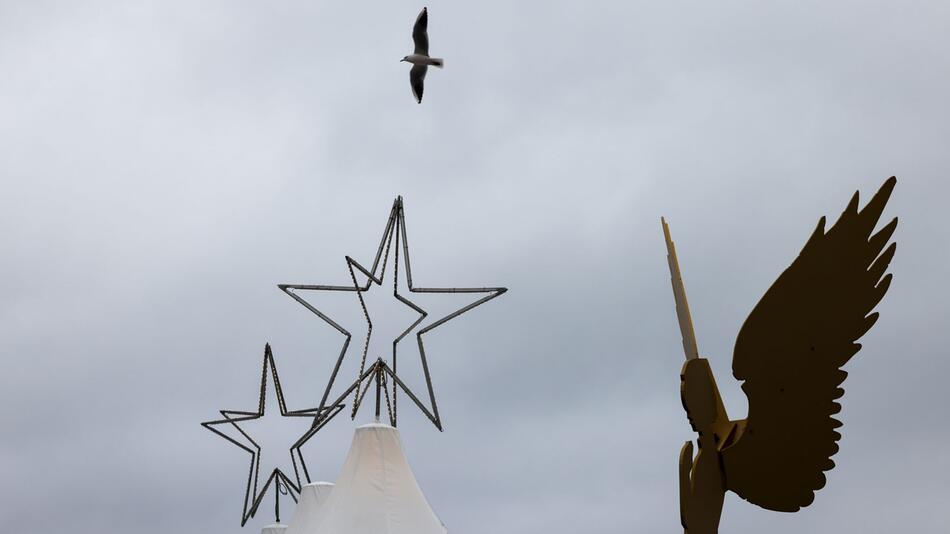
[164, 164]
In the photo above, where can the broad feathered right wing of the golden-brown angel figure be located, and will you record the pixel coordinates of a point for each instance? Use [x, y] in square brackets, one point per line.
[790, 352]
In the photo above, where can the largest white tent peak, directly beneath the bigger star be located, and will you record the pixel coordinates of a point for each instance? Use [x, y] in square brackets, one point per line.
[376, 492]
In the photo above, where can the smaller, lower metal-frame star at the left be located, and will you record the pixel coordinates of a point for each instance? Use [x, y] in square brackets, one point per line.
[252, 495]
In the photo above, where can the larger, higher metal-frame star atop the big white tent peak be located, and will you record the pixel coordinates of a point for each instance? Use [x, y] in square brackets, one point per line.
[394, 238]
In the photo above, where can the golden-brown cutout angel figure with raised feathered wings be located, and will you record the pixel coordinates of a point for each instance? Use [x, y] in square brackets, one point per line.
[788, 354]
